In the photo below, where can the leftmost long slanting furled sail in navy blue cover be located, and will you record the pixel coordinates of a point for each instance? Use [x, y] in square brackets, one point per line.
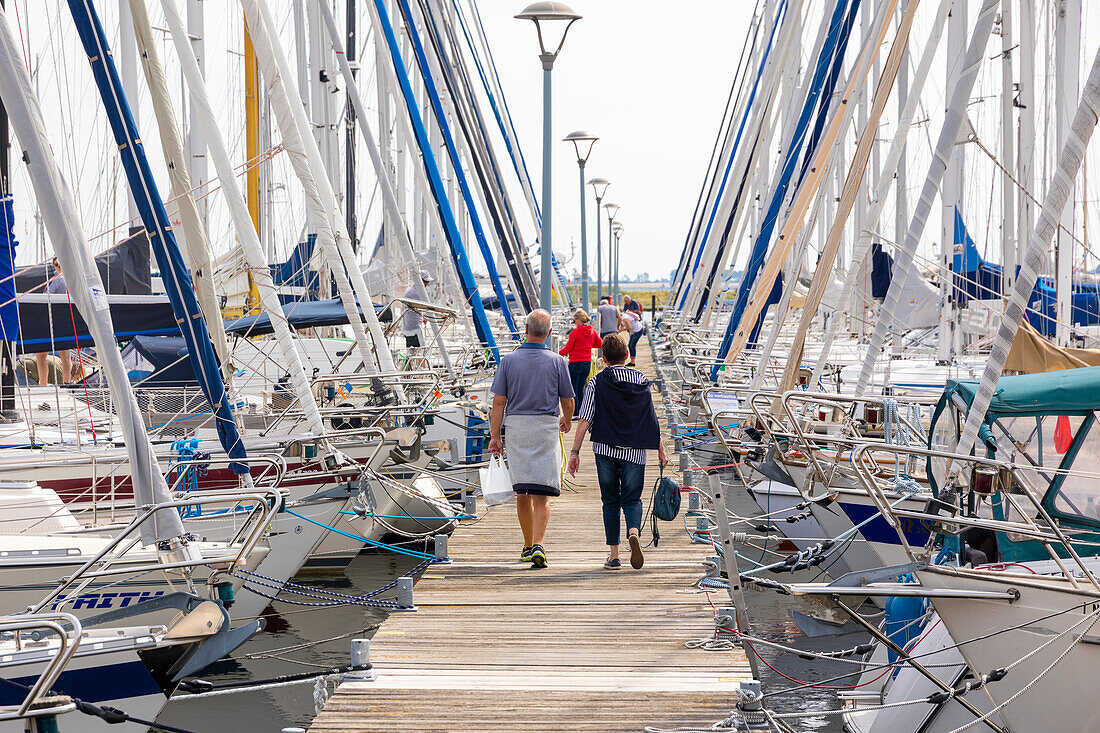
[178, 280]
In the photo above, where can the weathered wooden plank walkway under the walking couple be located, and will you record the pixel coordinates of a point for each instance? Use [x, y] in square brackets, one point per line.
[500, 647]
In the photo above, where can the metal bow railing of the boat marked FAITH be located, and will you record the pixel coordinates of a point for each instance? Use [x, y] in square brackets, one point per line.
[261, 508]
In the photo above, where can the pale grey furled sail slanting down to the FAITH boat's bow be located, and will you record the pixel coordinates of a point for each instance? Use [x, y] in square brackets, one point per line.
[71, 245]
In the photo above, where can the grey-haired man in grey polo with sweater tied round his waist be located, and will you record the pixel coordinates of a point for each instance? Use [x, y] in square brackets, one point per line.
[531, 387]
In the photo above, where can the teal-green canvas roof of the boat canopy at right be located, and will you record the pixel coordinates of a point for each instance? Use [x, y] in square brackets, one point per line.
[1064, 392]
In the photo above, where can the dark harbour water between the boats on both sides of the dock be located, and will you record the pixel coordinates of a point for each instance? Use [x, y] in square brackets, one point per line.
[267, 655]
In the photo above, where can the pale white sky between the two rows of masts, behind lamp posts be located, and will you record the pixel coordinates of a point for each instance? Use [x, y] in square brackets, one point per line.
[652, 81]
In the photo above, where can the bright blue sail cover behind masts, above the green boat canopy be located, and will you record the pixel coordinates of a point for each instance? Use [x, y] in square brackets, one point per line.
[976, 279]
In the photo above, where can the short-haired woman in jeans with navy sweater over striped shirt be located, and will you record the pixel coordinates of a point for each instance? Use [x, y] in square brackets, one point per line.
[619, 407]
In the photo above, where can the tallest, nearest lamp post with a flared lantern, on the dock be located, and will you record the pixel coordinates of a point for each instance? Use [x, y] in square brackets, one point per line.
[554, 18]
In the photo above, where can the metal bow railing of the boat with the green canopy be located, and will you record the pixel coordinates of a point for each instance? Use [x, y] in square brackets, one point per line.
[972, 478]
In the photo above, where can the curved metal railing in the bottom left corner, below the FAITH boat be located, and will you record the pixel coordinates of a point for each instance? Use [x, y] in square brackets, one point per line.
[68, 630]
